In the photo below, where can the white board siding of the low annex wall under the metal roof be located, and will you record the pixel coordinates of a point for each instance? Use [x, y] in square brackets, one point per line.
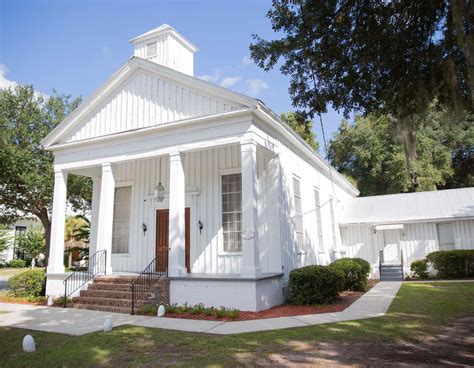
[416, 241]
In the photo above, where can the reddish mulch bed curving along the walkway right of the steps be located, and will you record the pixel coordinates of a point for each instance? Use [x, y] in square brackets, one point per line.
[346, 298]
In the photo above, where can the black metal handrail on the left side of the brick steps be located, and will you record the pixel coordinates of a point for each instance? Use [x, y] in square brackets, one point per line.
[76, 280]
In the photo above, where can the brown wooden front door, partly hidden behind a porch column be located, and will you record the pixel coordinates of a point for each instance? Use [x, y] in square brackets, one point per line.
[162, 239]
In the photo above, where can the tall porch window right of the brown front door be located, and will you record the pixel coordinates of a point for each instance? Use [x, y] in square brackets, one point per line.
[232, 212]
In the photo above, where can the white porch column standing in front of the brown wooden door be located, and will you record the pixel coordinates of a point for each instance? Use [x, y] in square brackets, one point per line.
[176, 259]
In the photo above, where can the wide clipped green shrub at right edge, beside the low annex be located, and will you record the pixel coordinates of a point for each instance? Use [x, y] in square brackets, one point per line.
[453, 264]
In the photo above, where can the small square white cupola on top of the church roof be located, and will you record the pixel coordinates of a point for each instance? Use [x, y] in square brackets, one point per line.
[165, 46]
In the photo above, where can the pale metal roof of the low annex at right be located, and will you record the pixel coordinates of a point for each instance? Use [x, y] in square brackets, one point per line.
[410, 207]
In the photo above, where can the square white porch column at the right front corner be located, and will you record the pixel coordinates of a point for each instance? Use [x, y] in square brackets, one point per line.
[250, 266]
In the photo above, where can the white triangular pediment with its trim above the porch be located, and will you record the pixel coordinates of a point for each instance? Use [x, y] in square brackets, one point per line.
[140, 95]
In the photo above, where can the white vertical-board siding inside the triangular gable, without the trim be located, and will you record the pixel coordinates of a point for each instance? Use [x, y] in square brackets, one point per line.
[145, 100]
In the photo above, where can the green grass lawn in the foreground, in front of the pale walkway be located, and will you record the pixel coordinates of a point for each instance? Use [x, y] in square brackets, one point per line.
[419, 311]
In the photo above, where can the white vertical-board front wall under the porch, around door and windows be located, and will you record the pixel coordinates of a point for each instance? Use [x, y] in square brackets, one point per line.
[202, 172]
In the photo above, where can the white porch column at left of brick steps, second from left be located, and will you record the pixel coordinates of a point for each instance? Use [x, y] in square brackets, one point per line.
[106, 213]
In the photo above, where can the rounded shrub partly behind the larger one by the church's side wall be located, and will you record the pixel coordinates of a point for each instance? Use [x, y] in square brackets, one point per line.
[354, 272]
